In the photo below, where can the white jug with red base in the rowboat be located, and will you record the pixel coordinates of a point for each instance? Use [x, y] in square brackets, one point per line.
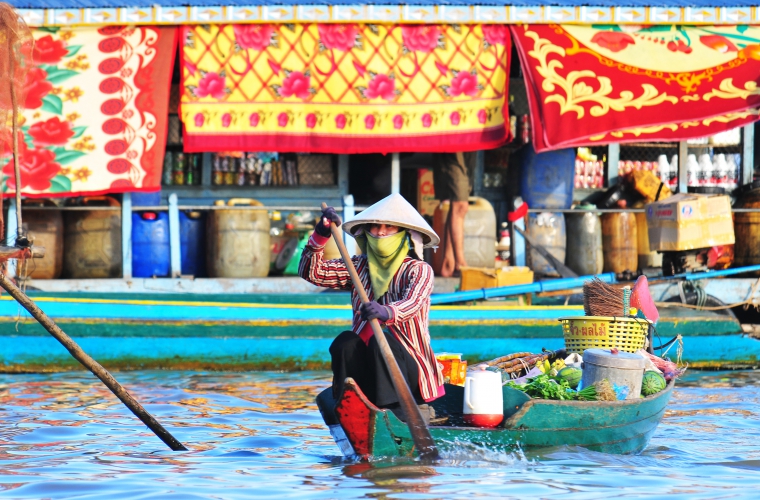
[483, 400]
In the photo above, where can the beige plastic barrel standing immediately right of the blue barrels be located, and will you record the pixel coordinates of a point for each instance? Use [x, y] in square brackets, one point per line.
[238, 241]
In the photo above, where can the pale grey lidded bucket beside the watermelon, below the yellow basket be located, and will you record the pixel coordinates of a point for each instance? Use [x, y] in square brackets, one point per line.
[622, 370]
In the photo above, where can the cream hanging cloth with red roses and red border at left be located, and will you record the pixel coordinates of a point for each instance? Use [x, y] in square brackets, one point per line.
[96, 112]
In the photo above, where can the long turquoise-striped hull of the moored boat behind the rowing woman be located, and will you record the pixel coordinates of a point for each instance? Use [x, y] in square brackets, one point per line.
[256, 332]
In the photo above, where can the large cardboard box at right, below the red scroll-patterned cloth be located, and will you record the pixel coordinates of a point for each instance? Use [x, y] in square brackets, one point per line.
[688, 221]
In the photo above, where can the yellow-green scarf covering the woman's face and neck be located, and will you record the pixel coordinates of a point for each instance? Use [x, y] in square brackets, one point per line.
[385, 256]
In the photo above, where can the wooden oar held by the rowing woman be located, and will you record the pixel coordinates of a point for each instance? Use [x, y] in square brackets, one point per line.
[420, 433]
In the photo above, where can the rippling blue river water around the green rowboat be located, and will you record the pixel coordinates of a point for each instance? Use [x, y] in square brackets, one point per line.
[261, 435]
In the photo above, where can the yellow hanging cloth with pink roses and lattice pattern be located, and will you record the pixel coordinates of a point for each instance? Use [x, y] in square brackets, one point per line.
[344, 88]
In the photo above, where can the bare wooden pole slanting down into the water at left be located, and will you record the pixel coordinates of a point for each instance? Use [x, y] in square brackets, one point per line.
[91, 365]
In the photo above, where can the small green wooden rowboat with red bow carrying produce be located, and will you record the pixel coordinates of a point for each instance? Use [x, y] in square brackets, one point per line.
[360, 429]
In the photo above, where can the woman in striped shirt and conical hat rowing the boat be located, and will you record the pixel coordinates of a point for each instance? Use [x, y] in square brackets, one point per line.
[391, 235]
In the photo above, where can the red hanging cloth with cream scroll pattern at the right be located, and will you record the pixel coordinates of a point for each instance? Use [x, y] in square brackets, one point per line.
[592, 85]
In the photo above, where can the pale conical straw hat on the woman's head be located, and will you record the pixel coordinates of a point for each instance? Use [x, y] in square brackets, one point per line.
[396, 211]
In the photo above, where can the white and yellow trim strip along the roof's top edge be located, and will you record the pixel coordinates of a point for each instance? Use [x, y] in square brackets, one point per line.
[78, 12]
